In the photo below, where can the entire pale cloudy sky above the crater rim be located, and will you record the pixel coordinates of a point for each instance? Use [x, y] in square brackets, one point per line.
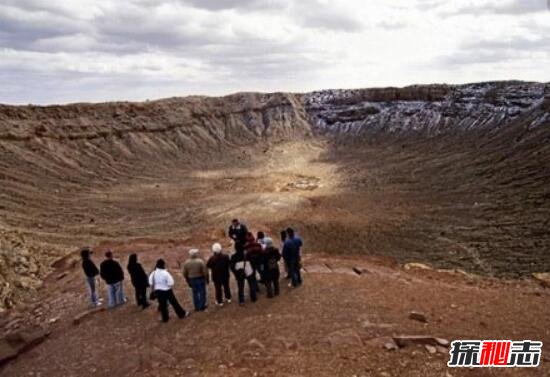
[58, 51]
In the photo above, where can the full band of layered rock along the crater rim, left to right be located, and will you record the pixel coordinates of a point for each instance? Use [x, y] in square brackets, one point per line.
[191, 121]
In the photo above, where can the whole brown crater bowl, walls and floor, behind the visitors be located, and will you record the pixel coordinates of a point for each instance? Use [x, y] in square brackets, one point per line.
[454, 175]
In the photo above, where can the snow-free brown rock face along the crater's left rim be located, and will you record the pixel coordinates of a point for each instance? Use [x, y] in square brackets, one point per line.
[187, 121]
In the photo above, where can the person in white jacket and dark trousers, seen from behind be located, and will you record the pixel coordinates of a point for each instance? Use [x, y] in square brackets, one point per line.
[161, 283]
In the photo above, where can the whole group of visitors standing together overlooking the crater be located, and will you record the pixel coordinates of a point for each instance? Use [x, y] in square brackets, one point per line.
[254, 262]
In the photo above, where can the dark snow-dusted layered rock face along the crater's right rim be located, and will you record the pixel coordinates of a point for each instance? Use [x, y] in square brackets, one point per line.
[428, 110]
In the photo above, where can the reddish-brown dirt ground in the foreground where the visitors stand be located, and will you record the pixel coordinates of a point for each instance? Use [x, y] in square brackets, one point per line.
[336, 324]
